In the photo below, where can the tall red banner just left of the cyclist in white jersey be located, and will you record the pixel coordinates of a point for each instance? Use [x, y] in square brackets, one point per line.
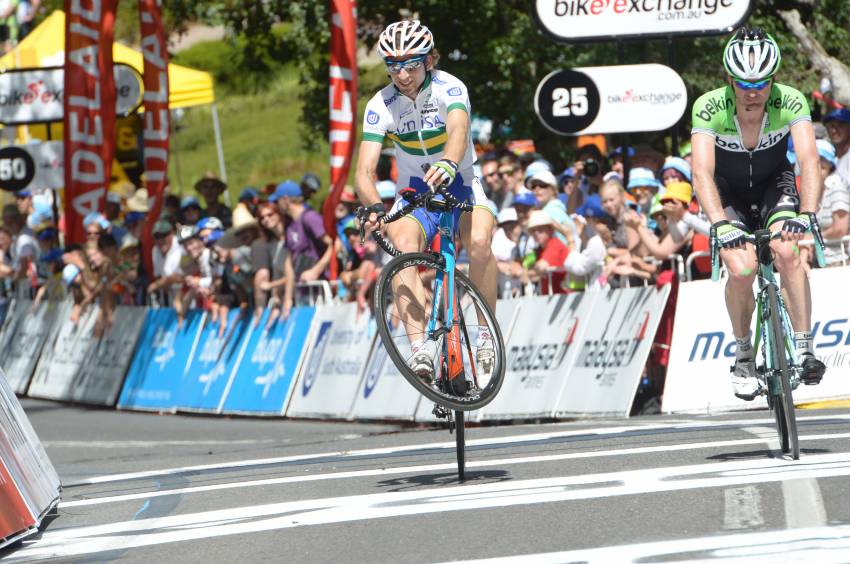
[343, 104]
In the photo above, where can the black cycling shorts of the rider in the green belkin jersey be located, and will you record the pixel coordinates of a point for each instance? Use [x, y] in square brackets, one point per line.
[758, 207]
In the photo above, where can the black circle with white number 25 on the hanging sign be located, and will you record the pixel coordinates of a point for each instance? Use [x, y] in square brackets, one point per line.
[567, 101]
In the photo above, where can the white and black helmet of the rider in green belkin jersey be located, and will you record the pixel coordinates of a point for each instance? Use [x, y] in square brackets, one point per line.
[751, 54]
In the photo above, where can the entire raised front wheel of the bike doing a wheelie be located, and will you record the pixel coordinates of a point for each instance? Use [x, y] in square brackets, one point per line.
[404, 297]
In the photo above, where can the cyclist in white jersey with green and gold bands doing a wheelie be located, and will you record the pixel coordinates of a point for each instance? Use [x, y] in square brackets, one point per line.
[425, 113]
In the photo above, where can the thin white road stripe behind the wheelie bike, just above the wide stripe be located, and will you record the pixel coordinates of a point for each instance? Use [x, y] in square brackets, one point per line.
[387, 471]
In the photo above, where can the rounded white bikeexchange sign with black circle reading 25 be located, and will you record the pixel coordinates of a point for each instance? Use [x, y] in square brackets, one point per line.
[615, 99]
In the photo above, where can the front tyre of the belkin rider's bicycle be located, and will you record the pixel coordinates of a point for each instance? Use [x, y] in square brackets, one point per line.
[784, 403]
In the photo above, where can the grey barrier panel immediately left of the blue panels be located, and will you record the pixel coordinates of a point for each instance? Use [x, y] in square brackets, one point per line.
[102, 372]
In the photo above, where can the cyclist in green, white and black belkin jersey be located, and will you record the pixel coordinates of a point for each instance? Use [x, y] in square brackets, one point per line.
[744, 182]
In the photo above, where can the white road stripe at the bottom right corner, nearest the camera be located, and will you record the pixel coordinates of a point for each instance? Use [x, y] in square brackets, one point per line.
[821, 545]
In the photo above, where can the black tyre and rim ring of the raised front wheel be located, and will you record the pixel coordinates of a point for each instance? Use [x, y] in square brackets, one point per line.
[383, 301]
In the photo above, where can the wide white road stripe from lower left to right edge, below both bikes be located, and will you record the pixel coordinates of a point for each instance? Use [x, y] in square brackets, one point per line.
[76, 541]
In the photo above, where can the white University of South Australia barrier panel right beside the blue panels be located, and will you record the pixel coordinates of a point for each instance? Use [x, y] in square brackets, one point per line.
[330, 375]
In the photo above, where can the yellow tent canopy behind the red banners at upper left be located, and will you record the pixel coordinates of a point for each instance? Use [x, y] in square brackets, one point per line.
[45, 47]
